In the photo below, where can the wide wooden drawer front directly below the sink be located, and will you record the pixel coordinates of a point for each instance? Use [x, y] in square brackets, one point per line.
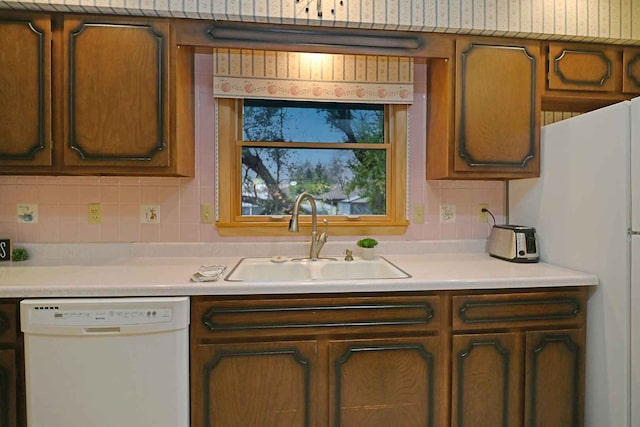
[277, 317]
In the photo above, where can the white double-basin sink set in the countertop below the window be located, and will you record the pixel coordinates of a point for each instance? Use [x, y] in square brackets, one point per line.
[323, 269]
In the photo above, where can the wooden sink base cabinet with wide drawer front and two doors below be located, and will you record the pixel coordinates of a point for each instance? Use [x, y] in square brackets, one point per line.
[316, 361]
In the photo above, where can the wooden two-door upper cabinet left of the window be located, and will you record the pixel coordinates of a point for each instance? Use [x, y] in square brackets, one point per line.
[94, 95]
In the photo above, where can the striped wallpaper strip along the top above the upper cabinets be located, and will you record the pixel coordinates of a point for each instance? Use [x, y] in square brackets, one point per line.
[616, 21]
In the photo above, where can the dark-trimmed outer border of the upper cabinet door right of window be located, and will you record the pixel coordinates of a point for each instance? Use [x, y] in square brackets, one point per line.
[463, 152]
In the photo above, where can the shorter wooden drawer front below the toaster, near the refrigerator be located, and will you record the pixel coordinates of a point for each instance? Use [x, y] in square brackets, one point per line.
[471, 312]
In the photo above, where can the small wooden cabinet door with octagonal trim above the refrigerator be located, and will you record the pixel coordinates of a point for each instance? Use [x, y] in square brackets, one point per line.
[583, 67]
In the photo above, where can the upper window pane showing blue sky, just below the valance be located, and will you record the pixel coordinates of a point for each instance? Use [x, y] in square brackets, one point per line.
[295, 121]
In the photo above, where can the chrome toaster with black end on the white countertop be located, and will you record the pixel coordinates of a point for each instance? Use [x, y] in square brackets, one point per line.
[514, 243]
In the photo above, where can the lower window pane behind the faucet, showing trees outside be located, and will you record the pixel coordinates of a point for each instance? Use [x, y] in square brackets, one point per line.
[343, 182]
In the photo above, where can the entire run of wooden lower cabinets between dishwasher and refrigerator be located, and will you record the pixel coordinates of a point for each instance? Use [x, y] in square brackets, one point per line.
[415, 359]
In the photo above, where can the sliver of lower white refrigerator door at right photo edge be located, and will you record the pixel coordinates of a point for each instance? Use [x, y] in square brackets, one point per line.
[635, 330]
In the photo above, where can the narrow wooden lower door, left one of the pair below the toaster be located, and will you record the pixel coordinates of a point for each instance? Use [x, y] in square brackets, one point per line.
[487, 379]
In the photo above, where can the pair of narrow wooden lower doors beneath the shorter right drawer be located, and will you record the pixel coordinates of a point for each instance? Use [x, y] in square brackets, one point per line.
[496, 375]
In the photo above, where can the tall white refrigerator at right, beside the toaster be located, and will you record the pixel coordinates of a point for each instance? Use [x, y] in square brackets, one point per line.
[586, 210]
